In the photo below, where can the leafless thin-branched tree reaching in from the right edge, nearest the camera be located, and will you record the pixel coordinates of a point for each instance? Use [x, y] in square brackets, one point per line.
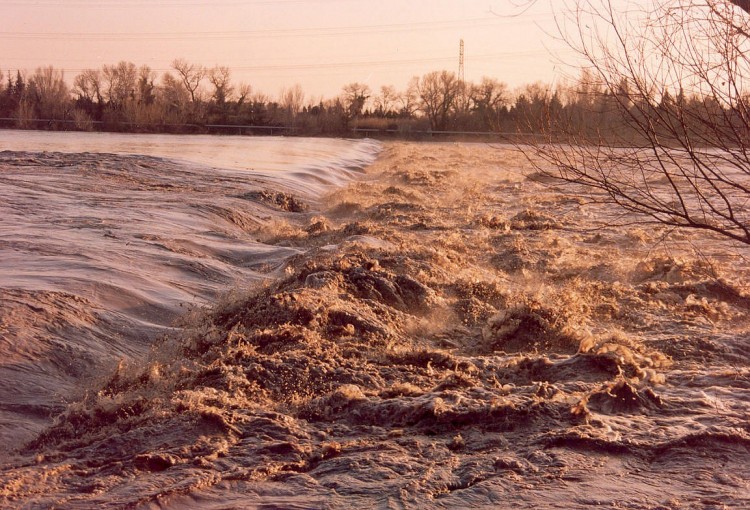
[676, 75]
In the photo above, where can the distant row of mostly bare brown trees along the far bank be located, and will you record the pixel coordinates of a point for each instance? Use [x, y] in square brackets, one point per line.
[193, 98]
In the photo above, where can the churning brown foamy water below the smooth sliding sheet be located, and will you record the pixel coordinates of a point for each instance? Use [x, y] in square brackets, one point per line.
[443, 334]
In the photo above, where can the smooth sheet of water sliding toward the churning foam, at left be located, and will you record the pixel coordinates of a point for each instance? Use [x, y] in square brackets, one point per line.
[106, 239]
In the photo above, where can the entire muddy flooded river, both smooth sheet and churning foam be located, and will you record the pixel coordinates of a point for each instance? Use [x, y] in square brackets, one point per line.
[443, 329]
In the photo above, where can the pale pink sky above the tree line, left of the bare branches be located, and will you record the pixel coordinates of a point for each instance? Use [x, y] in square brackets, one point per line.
[270, 44]
